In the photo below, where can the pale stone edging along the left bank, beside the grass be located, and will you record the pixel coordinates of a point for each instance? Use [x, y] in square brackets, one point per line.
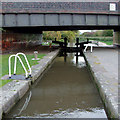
[13, 91]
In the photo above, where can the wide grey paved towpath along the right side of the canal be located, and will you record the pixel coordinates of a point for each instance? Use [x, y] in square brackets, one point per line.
[104, 65]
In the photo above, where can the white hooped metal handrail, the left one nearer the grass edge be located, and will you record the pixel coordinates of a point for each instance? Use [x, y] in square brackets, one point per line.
[20, 62]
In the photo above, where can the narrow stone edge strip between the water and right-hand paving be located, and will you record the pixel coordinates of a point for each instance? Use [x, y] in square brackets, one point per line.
[110, 109]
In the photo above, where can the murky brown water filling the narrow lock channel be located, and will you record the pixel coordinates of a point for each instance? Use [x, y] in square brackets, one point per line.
[65, 91]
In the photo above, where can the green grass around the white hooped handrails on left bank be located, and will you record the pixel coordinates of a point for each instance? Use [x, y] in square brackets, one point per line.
[20, 70]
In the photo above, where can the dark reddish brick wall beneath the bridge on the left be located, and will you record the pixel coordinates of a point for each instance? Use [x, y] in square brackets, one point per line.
[12, 41]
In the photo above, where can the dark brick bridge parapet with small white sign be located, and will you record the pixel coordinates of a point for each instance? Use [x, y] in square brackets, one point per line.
[100, 6]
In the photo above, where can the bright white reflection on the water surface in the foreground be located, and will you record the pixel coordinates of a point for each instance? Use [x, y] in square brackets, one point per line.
[75, 114]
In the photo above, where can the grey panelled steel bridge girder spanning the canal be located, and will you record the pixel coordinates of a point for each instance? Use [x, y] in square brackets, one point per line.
[55, 21]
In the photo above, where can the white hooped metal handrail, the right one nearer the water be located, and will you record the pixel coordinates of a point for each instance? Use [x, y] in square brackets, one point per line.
[26, 62]
